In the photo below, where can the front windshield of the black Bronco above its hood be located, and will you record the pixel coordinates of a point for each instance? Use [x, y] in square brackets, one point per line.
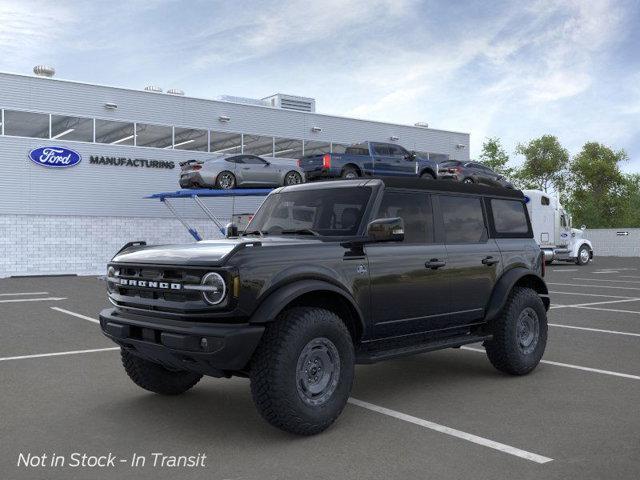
[328, 212]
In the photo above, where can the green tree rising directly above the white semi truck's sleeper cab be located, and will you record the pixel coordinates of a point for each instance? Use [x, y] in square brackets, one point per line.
[545, 164]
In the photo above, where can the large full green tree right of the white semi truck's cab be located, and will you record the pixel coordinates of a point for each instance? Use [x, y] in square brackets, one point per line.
[599, 194]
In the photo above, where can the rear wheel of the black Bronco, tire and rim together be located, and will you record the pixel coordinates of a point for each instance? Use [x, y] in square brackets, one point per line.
[519, 334]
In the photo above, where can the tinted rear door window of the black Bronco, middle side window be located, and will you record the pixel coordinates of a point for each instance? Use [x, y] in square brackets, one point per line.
[463, 219]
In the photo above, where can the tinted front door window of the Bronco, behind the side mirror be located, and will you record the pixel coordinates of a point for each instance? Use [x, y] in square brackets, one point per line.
[414, 209]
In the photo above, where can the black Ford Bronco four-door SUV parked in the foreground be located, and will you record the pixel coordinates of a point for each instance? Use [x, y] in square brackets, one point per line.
[326, 276]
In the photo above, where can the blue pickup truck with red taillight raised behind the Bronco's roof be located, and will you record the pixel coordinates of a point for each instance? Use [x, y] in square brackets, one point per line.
[368, 159]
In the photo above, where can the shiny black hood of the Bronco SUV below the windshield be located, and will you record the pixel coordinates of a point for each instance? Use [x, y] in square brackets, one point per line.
[207, 252]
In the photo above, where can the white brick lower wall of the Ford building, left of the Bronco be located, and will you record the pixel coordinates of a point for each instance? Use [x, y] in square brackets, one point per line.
[51, 245]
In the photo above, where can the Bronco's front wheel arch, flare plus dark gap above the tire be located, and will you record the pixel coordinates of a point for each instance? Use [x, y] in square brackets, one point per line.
[313, 293]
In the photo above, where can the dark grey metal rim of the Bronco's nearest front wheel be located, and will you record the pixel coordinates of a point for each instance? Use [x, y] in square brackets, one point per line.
[317, 371]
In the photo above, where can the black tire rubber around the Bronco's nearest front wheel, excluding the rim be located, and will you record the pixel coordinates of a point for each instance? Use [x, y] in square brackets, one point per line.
[274, 367]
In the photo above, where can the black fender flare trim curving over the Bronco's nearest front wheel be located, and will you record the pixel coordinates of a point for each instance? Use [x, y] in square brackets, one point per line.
[273, 304]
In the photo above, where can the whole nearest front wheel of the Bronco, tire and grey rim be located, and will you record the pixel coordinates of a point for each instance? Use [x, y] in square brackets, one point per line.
[302, 370]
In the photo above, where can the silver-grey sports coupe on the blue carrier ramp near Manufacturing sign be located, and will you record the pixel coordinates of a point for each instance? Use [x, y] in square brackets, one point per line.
[231, 171]
